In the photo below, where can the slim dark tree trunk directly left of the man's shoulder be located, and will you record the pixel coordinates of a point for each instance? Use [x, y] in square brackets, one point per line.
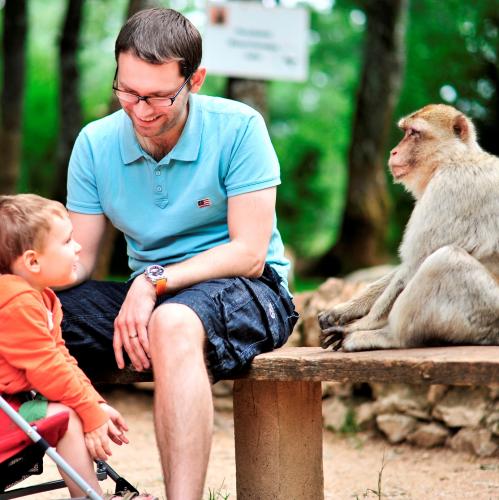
[70, 113]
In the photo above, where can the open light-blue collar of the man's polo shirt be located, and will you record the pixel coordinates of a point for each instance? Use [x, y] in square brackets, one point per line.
[187, 147]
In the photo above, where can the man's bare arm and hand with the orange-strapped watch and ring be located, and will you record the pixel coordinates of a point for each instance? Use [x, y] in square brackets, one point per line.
[250, 221]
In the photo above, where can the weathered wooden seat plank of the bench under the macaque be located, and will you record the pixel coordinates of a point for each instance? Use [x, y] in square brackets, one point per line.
[456, 365]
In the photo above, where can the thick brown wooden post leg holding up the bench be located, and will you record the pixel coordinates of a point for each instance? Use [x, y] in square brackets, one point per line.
[278, 435]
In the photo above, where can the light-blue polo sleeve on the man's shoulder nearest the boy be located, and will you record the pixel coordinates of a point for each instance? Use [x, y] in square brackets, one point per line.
[83, 195]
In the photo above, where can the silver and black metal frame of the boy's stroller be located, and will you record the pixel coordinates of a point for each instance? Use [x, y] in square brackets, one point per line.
[103, 469]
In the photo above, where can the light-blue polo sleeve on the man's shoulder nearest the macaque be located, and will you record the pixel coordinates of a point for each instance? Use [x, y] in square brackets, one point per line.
[253, 163]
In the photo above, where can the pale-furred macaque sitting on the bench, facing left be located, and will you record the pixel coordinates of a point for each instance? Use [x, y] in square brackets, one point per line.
[446, 288]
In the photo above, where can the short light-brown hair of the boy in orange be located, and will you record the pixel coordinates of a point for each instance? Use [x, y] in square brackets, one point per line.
[24, 225]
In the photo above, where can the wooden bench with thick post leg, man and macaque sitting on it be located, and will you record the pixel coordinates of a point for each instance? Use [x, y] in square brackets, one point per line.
[278, 410]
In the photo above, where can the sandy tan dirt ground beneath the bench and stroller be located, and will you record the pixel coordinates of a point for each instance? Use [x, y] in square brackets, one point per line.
[351, 464]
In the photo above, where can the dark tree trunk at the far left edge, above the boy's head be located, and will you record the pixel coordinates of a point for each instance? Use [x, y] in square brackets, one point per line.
[14, 56]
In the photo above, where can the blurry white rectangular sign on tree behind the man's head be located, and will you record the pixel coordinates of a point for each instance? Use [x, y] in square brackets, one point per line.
[246, 39]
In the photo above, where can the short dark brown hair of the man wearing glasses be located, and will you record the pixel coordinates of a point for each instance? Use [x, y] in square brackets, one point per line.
[161, 35]
